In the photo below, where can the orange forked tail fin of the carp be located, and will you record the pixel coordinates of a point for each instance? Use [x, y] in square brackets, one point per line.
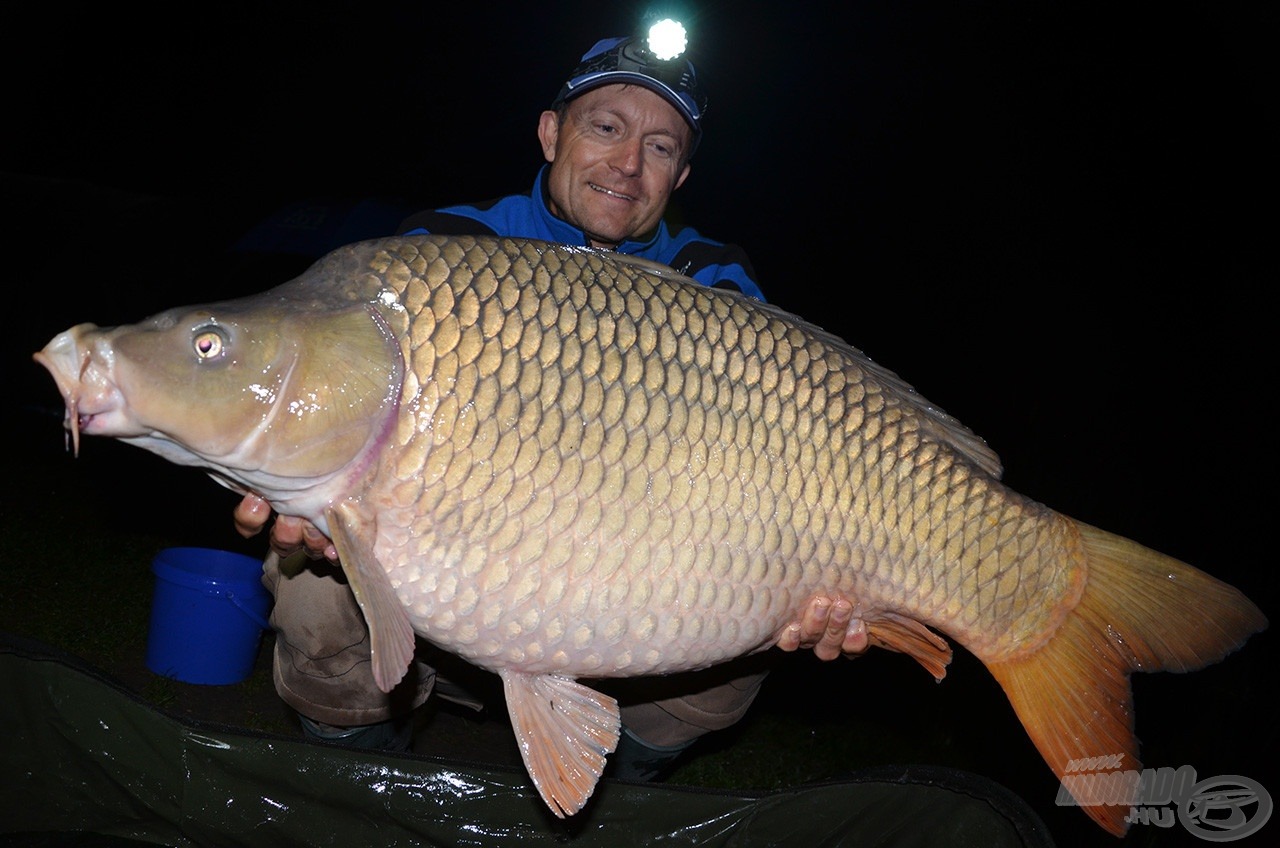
[1141, 612]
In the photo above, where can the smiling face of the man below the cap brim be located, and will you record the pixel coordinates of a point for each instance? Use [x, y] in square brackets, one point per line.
[615, 161]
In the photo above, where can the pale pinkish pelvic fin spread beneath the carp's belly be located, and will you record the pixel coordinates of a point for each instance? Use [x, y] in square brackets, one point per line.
[565, 732]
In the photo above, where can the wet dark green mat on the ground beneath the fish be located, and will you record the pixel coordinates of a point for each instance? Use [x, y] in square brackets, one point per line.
[88, 759]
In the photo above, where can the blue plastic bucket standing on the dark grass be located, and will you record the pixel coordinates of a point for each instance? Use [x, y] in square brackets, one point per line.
[208, 616]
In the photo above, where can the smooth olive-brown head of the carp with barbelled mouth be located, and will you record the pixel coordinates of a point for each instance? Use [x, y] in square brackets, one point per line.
[285, 398]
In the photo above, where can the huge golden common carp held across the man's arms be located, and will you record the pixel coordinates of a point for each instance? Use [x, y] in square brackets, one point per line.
[564, 466]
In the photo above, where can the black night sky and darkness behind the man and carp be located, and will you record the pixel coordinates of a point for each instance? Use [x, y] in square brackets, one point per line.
[1055, 220]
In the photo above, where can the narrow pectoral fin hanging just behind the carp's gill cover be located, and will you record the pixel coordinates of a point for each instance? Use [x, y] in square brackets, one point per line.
[391, 636]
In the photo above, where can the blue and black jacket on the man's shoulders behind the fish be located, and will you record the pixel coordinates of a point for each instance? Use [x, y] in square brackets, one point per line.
[710, 262]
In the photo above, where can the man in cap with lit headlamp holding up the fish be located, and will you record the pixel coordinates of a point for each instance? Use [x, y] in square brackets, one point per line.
[618, 143]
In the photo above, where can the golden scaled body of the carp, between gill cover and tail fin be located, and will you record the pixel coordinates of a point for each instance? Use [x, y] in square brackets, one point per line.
[589, 467]
